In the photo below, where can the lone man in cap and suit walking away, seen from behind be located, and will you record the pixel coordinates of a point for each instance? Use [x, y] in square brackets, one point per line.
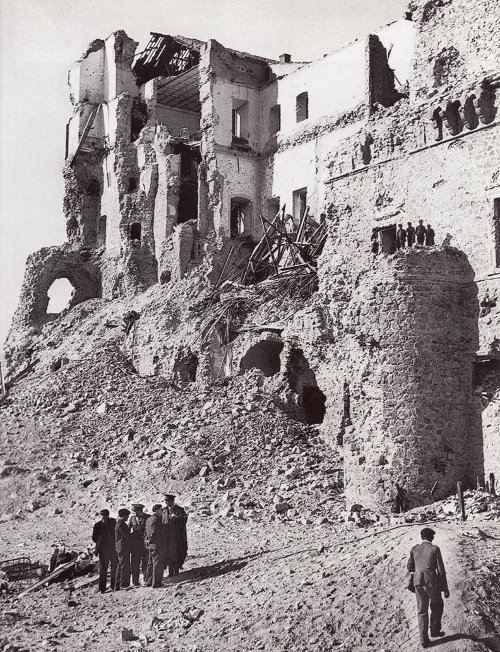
[429, 579]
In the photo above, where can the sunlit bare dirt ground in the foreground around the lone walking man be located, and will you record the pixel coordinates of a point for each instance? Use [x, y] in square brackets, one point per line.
[275, 587]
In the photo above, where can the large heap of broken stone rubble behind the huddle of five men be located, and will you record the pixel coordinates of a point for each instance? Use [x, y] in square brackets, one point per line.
[229, 449]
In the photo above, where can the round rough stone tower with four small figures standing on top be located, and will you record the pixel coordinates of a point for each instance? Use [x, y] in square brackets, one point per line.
[411, 348]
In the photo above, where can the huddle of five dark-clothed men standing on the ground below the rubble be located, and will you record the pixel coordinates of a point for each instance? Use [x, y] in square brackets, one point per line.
[141, 542]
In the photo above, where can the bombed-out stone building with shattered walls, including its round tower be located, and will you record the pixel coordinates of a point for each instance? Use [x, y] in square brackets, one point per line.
[177, 154]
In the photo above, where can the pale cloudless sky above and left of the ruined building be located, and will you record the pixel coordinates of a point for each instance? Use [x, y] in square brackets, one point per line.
[40, 39]
